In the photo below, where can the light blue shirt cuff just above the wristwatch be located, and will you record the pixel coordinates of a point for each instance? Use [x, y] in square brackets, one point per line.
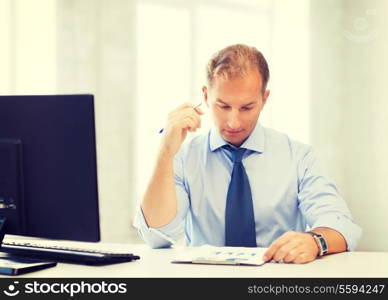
[345, 226]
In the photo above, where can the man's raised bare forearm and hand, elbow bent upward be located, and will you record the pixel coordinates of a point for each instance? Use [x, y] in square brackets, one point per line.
[159, 204]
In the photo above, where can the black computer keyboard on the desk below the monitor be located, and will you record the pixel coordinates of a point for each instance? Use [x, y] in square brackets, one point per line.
[66, 254]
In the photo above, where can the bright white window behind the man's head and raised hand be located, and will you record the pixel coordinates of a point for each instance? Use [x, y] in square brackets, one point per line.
[174, 41]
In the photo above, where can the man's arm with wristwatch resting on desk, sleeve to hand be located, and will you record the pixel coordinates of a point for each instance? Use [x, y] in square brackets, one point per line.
[324, 210]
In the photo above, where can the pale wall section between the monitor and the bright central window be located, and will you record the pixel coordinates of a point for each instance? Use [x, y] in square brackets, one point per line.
[96, 54]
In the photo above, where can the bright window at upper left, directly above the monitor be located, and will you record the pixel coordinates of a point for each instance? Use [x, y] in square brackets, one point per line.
[28, 49]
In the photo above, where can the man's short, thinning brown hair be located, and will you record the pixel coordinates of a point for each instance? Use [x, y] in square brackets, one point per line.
[235, 61]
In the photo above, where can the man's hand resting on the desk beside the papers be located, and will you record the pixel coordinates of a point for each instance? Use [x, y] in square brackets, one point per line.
[293, 247]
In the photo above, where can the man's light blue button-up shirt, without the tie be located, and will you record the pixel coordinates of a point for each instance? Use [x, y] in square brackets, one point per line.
[290, 191]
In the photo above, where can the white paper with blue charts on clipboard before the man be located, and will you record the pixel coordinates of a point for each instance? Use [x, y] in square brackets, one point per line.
[221, 255]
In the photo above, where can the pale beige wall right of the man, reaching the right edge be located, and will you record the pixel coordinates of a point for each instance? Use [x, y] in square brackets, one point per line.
[349, 71]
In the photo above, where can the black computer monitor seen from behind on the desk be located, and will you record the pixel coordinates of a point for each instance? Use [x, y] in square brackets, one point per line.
[48, 169]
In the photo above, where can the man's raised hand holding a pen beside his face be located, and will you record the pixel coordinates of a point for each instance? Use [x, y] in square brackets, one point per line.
[184, 118]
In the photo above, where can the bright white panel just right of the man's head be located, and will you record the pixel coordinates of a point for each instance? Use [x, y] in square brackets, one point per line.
[287, 108]
